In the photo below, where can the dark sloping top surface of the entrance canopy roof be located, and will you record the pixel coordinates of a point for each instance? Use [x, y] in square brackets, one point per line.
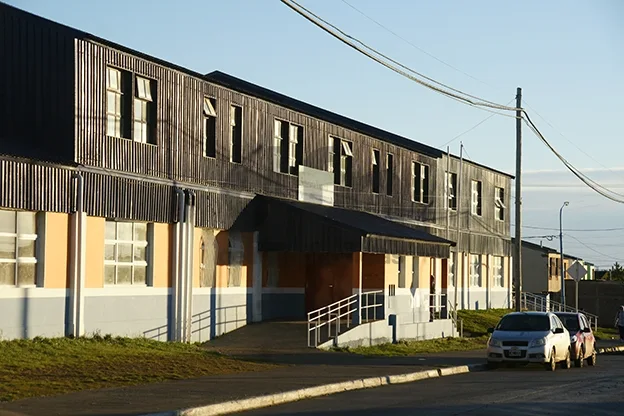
[364, 222]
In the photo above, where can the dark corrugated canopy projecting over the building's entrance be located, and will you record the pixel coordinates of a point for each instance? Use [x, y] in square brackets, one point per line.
[287, 225]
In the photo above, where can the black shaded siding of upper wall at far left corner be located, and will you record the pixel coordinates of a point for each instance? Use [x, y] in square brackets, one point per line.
[36, 87]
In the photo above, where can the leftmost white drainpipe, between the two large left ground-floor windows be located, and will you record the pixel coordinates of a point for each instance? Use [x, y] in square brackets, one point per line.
[77, 266]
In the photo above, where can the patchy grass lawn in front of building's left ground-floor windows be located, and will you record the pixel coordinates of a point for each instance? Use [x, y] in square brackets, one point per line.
[50, 366]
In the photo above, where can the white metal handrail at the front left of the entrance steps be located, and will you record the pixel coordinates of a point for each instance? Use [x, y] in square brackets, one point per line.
[335, 312]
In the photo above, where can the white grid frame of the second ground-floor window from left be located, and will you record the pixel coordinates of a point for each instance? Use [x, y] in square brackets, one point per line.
[132, 264]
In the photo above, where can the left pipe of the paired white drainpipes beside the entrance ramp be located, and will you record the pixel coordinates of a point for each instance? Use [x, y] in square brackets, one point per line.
[178, 268]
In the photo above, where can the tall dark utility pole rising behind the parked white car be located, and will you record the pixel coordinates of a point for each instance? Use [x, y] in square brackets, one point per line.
[517, 257]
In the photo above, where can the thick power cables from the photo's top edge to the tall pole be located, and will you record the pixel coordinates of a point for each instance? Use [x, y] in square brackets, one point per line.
[344, 37]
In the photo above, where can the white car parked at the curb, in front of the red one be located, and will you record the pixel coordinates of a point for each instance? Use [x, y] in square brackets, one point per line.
[529, 337]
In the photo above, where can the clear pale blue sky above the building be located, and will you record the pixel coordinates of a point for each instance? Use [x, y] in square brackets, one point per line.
[566, 55]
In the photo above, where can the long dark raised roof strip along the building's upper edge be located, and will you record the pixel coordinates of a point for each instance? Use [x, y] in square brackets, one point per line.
[245, 87]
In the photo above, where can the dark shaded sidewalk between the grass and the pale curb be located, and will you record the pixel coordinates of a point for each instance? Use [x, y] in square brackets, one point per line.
[324, 368]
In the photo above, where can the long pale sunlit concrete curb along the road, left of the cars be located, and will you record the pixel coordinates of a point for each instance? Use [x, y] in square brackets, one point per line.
[258, 402]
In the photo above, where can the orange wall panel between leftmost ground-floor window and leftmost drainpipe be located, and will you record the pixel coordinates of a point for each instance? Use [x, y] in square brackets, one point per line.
[57, 249]
